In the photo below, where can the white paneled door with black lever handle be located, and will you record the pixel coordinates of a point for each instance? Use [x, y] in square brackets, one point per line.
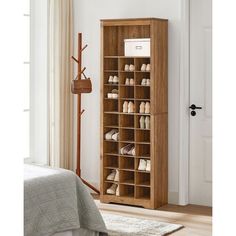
[201, 96]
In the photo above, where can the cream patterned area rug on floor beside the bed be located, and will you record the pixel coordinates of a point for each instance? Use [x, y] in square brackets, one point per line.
[118, 225]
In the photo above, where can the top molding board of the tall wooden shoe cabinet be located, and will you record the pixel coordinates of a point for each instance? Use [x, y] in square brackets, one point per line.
[133, 21]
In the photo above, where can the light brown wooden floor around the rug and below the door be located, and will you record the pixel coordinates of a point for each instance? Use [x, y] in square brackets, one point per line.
[197, 220]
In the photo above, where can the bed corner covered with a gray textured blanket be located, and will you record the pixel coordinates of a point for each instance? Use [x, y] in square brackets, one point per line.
[56, 200]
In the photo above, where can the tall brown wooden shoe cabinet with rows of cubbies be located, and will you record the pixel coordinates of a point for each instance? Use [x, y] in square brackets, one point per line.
[148, 189]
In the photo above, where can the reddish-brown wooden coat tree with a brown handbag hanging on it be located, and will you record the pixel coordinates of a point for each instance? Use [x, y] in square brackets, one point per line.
[79, 86]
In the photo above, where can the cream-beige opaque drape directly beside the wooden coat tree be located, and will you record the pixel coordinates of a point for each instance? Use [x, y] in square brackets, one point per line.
[61, 73]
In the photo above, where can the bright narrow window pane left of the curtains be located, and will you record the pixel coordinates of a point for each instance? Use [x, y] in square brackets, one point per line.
[26, 80]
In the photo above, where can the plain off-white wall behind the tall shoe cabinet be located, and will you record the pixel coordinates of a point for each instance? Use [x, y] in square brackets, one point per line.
[87, 15]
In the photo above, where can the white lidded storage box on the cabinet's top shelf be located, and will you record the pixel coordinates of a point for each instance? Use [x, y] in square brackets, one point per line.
[137, 47]
